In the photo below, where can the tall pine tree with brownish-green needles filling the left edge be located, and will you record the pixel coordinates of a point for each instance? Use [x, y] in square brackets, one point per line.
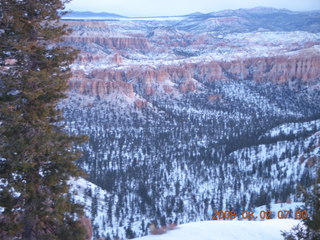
[36, 155]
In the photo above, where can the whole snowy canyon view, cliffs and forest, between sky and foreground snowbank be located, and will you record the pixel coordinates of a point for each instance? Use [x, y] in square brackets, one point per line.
[193, 114]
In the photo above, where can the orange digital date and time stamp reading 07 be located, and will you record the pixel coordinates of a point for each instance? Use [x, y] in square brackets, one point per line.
[261, 215]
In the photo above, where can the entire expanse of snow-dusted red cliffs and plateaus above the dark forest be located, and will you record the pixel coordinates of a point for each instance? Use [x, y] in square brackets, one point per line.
[137, 57]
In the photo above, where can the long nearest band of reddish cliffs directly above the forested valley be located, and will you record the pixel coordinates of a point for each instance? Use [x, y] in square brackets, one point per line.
[101, 82]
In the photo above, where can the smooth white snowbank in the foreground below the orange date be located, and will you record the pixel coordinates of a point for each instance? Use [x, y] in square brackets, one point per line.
[228, 230]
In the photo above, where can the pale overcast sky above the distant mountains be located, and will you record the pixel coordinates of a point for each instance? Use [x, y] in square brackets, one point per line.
[135, 8]
